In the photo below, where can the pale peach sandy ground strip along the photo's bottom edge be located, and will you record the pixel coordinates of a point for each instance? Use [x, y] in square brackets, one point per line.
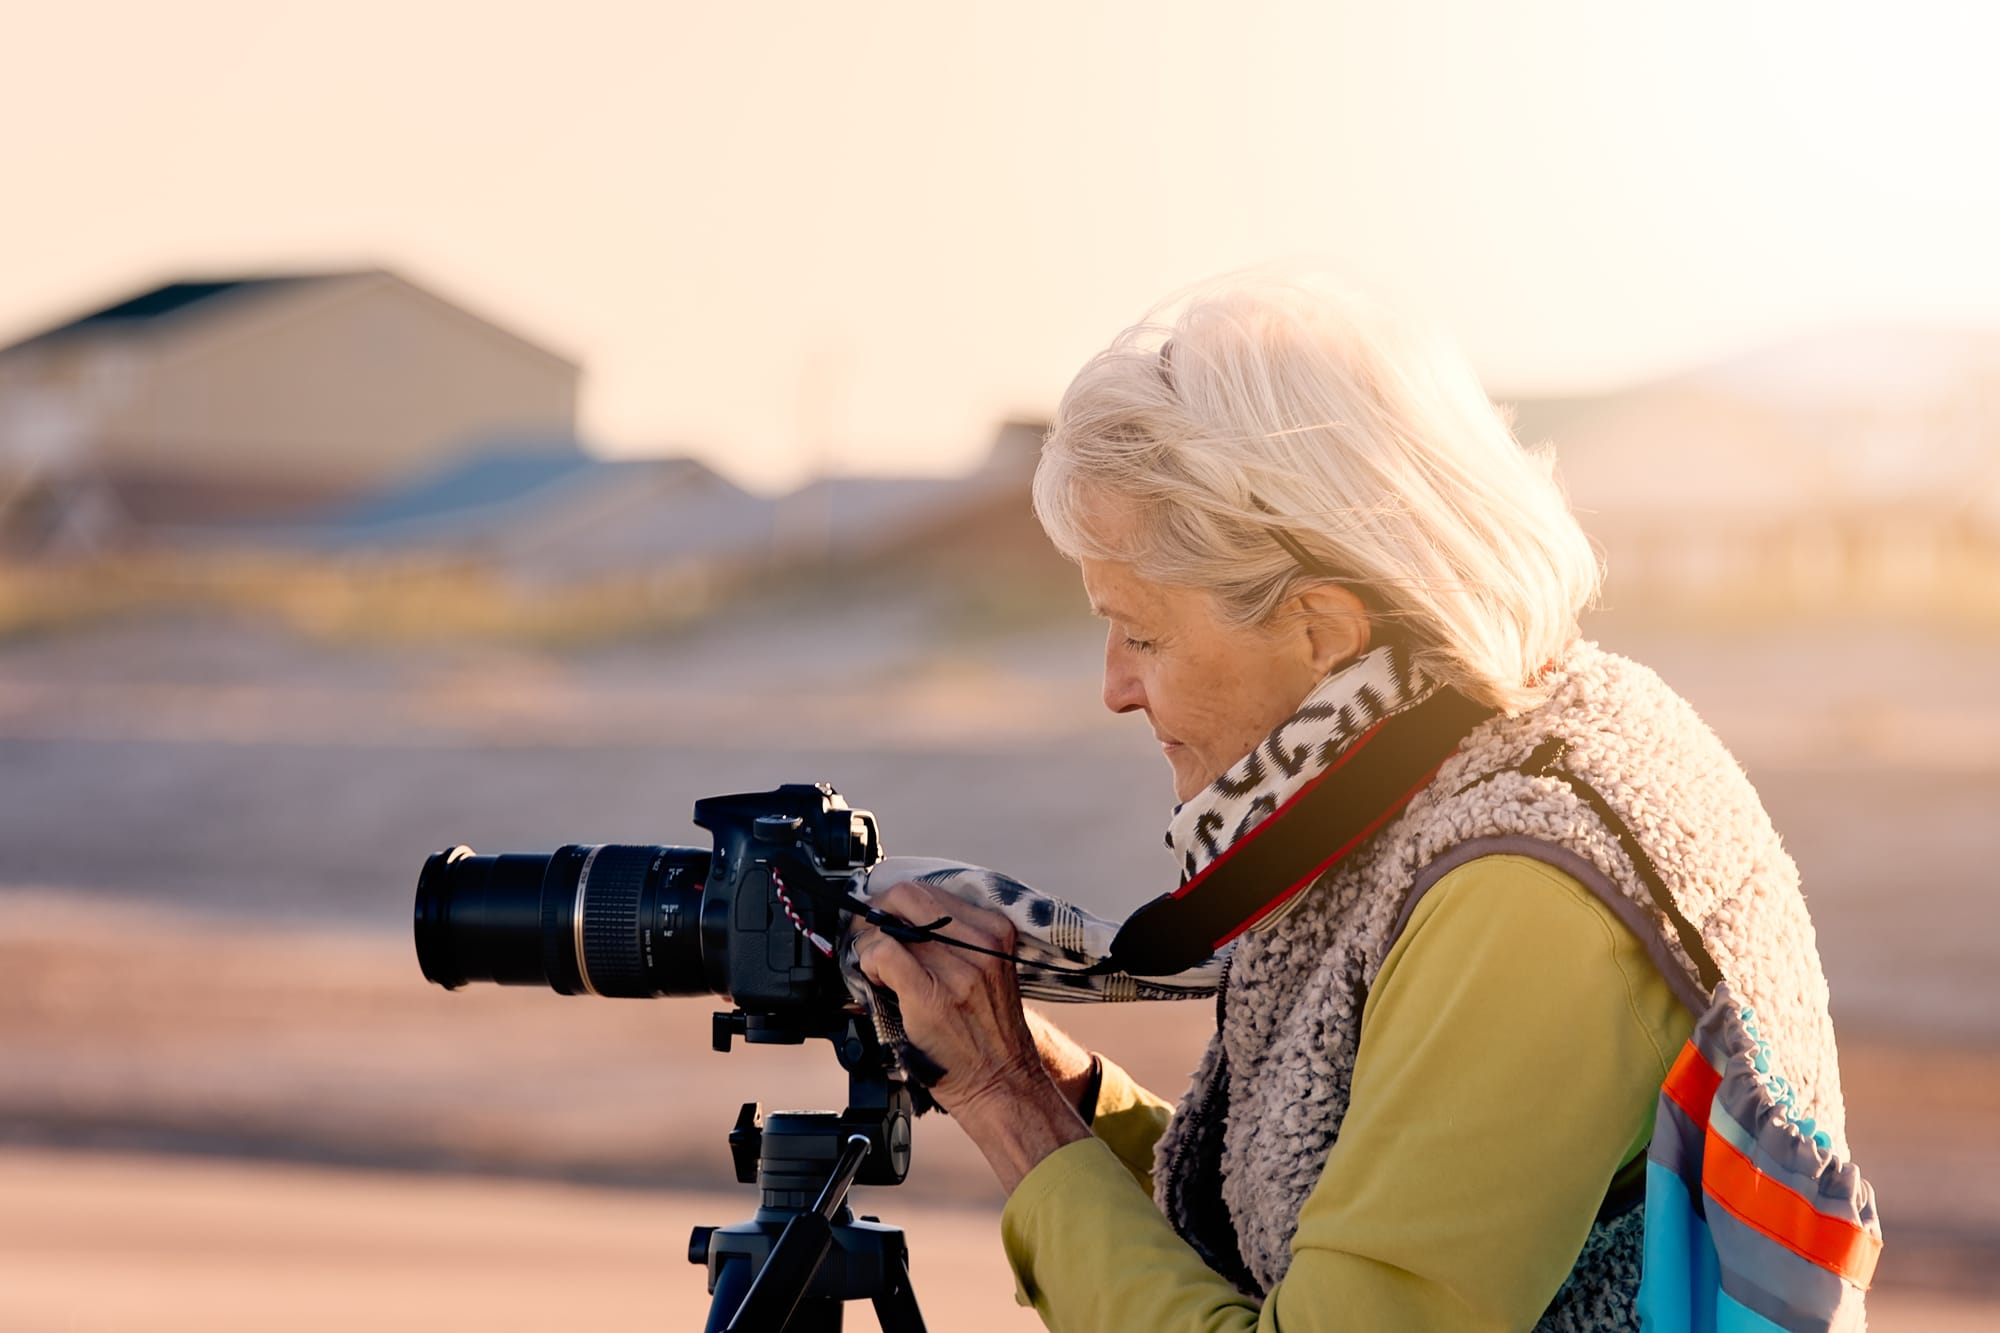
[111, 1244]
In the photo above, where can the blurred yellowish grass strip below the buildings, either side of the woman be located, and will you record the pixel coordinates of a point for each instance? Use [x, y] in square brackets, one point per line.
[413, 601]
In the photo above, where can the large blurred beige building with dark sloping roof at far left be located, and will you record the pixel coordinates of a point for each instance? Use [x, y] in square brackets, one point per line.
[253, 397]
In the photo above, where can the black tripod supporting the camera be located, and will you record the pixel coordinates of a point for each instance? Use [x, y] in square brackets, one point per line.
[805, 1256]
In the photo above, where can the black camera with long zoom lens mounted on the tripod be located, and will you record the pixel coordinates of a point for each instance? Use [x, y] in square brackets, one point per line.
[643, 922]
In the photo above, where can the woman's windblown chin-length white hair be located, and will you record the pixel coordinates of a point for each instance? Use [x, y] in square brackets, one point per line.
[1265, 433]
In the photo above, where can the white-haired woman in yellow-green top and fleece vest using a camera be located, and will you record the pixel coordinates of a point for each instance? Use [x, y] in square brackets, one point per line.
[1325, 561]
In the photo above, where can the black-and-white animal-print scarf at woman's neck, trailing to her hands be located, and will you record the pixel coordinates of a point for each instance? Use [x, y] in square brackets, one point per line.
[1061, 942]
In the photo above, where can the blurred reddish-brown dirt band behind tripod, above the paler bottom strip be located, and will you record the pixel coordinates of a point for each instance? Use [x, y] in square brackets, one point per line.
[143, 1028]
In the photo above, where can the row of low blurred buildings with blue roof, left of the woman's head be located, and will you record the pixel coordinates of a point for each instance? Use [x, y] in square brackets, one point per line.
[547, 515]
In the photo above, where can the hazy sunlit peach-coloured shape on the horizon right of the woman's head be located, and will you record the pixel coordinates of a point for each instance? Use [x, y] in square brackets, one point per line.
[1857, 467]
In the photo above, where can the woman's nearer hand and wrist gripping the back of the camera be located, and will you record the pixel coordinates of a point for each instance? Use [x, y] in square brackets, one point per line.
[963, 1012]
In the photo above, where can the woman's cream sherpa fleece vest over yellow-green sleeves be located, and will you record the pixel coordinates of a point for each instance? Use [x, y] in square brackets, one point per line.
[1265, 1106]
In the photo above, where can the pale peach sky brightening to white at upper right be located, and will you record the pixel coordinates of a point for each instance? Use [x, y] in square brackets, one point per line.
[853, 239]
